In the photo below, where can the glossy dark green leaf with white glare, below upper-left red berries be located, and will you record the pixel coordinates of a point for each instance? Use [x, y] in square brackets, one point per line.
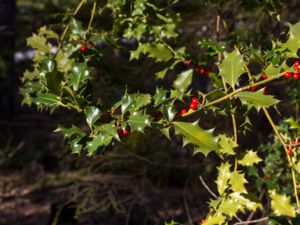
[80, 74]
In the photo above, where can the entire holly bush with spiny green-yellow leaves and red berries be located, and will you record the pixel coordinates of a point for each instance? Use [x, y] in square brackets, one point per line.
[239, 68]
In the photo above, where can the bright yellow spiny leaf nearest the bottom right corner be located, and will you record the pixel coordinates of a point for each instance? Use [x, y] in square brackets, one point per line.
[281, 205]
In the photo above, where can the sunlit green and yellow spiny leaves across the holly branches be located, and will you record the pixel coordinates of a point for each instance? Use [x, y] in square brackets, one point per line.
[64, 80]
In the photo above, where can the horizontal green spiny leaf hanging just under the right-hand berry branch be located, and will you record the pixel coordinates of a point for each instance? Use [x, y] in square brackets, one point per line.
[257, 99]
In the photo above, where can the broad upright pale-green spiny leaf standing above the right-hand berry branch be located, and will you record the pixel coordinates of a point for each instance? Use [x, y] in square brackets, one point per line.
[232, 67]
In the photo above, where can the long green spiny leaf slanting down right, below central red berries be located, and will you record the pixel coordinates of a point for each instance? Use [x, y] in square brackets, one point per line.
[203, 140]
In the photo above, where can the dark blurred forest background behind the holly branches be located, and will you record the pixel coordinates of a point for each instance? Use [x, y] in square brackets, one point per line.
[145, 180]
